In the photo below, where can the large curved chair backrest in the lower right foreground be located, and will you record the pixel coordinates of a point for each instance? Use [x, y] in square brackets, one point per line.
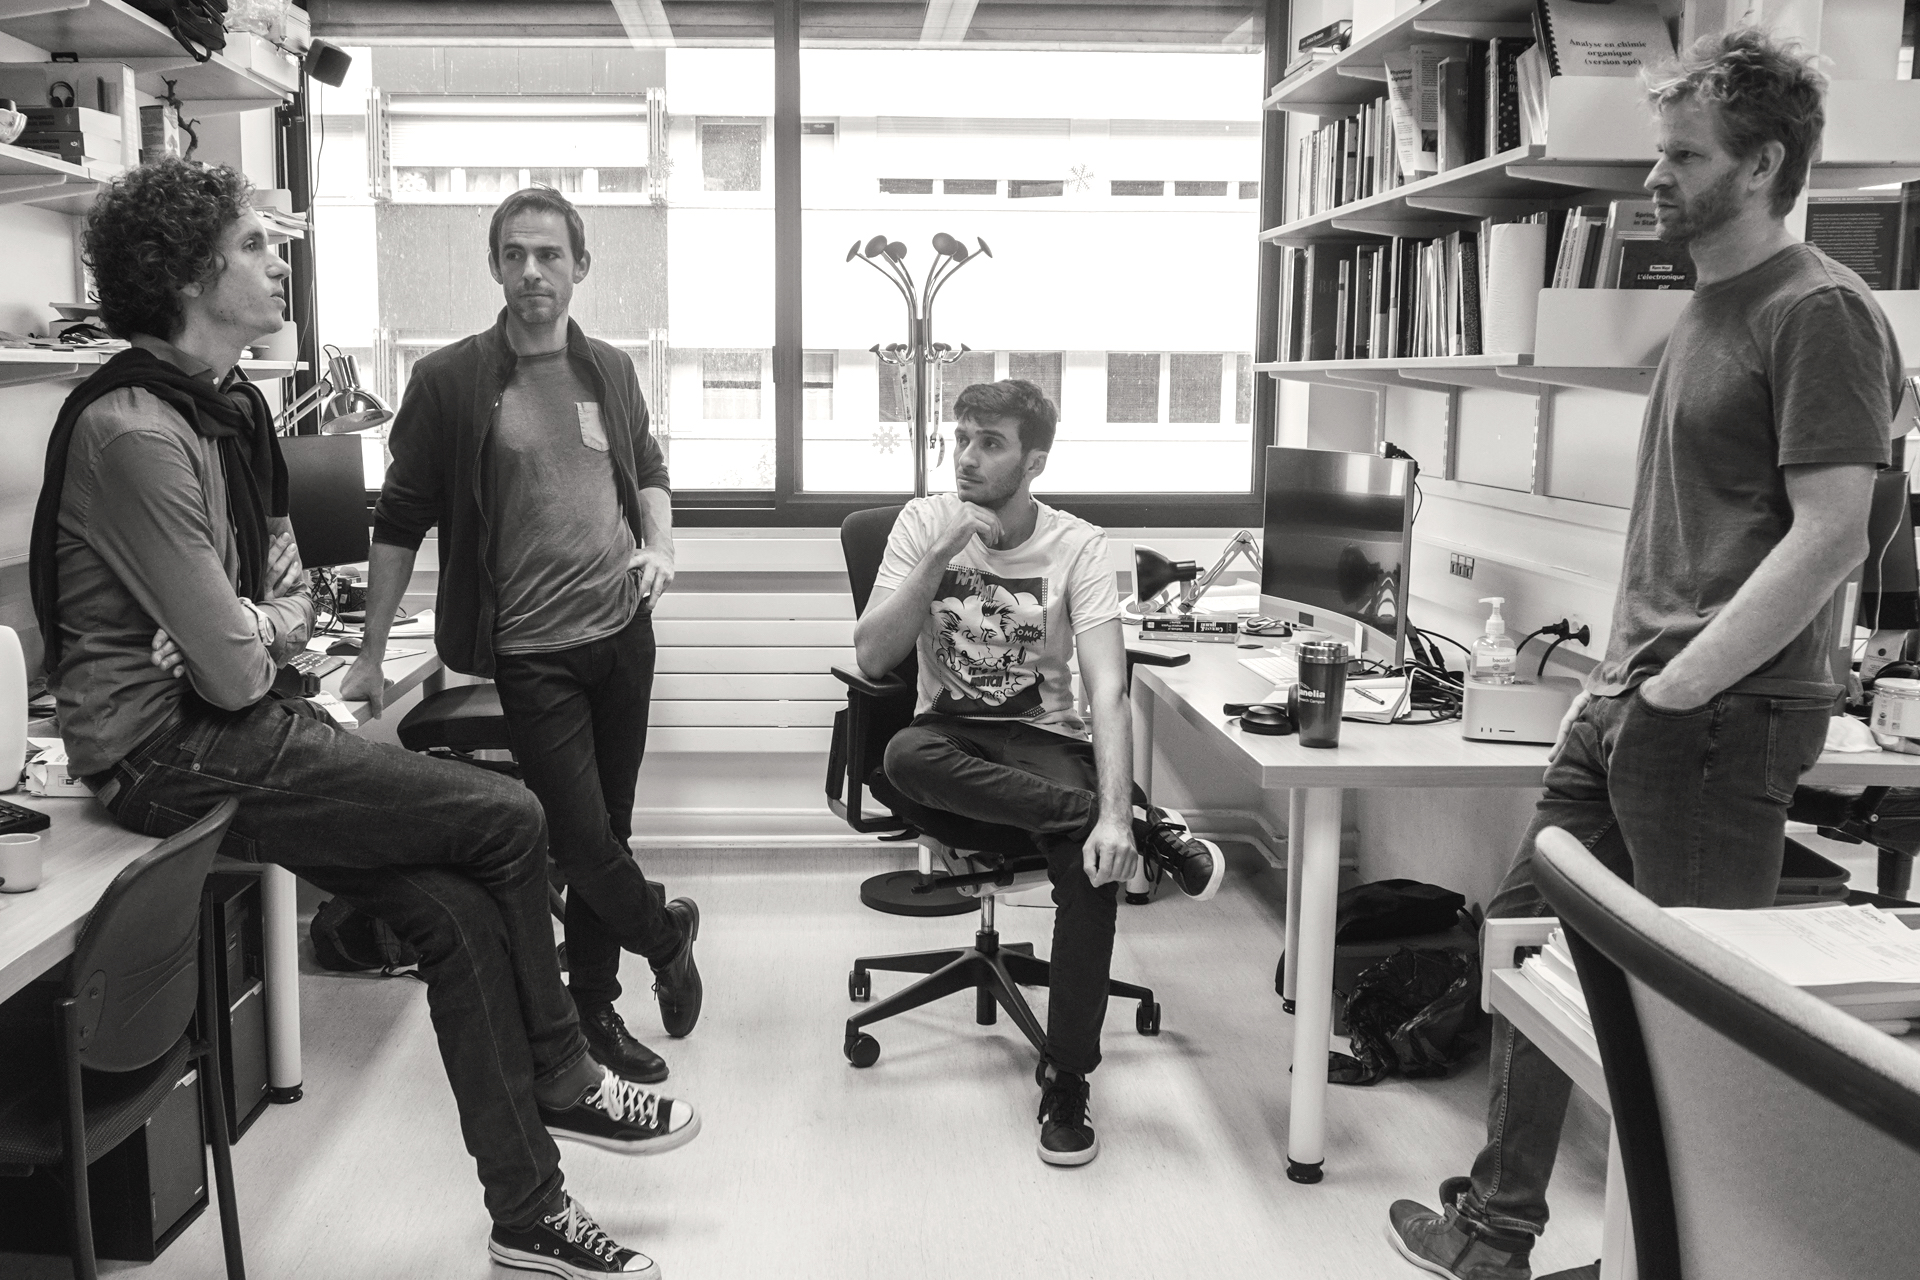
[1764, 1133]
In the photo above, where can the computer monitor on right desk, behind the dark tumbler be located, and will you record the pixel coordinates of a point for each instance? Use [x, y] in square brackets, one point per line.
[1339, 538]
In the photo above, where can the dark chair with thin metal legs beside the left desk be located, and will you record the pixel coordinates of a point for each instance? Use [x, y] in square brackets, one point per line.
[141, 970]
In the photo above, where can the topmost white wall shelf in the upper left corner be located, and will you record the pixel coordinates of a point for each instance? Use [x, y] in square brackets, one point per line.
[249, 76]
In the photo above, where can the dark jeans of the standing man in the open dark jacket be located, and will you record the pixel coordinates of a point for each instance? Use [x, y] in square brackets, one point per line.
[579, 728]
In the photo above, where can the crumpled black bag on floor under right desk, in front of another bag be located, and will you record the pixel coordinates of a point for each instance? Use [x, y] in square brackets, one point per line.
[1414, 1014]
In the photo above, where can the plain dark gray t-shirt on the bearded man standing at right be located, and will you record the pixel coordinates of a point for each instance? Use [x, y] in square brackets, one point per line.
[1785, 366]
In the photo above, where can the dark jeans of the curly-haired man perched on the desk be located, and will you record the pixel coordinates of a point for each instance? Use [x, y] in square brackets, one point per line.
[454, 859]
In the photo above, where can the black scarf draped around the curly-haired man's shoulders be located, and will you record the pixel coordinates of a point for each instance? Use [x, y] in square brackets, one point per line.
[251, 458]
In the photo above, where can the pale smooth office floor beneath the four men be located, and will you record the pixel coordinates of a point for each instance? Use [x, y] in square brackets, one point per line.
[921, 1168]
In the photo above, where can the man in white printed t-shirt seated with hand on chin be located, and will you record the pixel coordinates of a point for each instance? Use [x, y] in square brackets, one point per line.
[997, 592]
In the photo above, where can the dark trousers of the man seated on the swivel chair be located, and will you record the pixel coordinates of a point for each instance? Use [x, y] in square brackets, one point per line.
[1009, 772]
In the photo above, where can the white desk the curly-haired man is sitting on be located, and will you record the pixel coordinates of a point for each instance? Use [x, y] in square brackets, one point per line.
[85, 849]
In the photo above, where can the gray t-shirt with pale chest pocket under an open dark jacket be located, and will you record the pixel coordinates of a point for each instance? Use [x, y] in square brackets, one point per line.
[560, 544]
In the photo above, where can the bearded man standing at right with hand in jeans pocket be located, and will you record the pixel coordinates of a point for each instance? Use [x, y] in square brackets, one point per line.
[1767, 419]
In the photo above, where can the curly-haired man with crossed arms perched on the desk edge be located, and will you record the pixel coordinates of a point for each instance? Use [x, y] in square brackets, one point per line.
[168, 590]
